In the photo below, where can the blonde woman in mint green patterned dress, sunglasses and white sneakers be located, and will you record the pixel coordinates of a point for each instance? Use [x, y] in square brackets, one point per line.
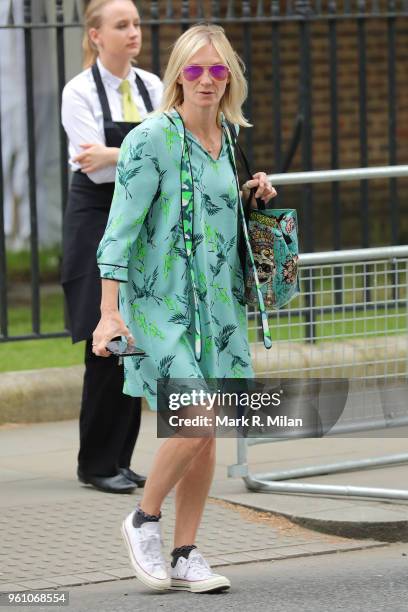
[171, 244]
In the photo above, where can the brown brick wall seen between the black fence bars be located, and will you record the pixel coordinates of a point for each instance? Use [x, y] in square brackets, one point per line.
[264, 107]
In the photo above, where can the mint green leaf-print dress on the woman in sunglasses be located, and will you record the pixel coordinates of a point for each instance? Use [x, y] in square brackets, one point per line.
[144, 248]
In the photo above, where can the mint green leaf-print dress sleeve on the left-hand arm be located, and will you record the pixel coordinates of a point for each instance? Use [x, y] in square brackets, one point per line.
[136, 184]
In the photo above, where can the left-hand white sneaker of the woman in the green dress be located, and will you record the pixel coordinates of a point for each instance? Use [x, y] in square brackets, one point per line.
[144, 547]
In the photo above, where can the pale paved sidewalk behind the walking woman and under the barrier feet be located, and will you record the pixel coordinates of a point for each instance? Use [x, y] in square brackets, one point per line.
[55, 532]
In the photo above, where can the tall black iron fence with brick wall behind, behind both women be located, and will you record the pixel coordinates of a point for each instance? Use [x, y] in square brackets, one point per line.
[327, 84]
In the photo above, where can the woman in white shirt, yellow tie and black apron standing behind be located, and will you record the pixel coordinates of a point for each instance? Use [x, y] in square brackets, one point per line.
[99, 107]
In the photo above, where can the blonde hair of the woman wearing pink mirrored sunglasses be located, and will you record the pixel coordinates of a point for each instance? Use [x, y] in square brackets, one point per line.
[185, 47]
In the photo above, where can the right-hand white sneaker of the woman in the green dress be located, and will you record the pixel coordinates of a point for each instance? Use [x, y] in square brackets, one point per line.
[195, 575]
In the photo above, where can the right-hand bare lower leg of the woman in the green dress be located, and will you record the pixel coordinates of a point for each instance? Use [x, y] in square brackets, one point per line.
[191, 494]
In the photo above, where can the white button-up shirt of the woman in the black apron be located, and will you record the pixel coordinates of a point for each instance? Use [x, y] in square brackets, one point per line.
[82, 115]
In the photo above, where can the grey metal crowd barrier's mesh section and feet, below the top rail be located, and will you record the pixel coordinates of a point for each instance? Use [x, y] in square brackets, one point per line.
[363, 337]
